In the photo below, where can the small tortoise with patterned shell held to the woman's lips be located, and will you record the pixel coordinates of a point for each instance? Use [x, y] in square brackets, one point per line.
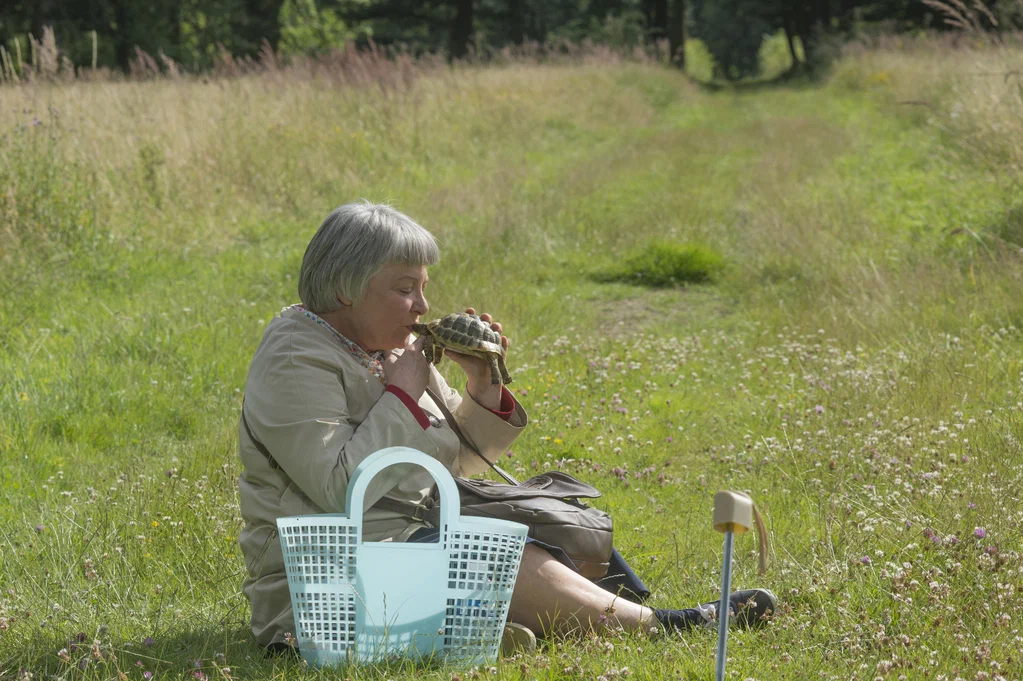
[468, 335]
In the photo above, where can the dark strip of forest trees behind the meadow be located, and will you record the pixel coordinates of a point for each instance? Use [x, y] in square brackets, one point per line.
[61, 37]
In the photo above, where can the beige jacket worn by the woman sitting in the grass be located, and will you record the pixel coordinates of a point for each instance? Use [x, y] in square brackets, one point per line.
[321, 413]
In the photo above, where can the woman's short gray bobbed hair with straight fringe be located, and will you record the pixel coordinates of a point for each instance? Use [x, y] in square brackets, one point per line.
[357, 242]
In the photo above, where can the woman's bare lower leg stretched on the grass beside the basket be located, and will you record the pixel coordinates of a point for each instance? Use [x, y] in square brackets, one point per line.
[551, 598]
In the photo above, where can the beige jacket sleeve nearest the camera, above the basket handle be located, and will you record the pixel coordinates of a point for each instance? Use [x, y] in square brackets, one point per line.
[297, 407]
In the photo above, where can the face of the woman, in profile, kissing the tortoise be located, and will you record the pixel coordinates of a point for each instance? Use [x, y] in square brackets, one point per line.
[393, 303]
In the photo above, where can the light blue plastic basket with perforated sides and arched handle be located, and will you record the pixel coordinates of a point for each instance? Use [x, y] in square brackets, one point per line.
[365, 603]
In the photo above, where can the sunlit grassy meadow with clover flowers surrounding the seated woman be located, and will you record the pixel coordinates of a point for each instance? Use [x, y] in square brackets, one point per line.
[856, 362]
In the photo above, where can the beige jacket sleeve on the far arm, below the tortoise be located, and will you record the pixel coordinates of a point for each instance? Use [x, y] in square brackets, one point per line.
[490, 433]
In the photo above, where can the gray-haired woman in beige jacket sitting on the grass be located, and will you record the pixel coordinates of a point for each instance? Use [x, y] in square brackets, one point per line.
[339, 378]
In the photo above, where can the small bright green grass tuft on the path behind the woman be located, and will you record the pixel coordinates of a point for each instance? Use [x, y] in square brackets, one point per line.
[668, 264]
